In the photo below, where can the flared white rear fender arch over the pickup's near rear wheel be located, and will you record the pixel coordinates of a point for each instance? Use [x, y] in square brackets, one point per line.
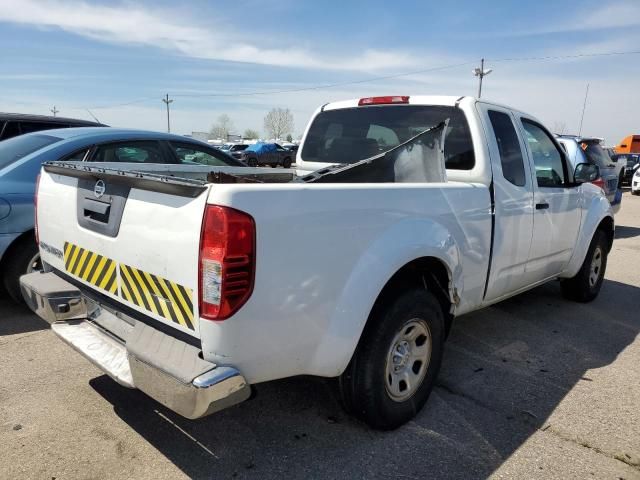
[399, 245]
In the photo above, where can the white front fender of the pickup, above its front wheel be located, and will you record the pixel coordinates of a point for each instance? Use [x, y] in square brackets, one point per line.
[596, 208]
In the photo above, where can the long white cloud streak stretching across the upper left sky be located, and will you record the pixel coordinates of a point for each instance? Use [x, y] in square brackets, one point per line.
[134, 25]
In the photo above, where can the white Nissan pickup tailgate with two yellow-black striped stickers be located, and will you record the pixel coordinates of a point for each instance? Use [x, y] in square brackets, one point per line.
[135, 240]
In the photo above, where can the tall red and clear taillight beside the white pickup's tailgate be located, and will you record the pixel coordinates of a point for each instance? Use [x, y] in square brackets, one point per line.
[227, 261]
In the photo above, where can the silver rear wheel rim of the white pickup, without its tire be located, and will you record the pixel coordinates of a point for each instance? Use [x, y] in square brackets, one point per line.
[408, 360]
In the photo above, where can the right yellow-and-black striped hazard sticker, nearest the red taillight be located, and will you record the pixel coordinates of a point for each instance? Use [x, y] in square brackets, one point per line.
[157, 295]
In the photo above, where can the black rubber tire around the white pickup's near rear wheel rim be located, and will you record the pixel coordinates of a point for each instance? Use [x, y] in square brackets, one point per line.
[364, 386]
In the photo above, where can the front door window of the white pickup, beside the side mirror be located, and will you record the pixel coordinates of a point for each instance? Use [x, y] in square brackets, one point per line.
[547, 159]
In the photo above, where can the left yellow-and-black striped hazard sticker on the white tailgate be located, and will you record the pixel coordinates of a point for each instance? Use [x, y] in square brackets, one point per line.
[91, 267]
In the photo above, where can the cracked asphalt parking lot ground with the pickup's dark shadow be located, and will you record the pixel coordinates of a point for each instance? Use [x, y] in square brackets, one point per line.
[535, 387]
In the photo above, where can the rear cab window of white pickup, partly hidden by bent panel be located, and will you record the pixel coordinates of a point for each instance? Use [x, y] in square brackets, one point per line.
[353, 134]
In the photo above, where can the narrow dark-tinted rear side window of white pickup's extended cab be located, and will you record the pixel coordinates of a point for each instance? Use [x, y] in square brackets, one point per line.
[509, 148]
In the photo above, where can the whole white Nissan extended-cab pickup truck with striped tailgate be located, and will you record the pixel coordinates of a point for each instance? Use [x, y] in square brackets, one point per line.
[193, 285]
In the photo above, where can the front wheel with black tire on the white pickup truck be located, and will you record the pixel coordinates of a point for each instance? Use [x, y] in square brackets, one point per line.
[586, 284]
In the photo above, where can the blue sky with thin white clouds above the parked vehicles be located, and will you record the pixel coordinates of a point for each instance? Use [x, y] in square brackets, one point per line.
[116, 59]
